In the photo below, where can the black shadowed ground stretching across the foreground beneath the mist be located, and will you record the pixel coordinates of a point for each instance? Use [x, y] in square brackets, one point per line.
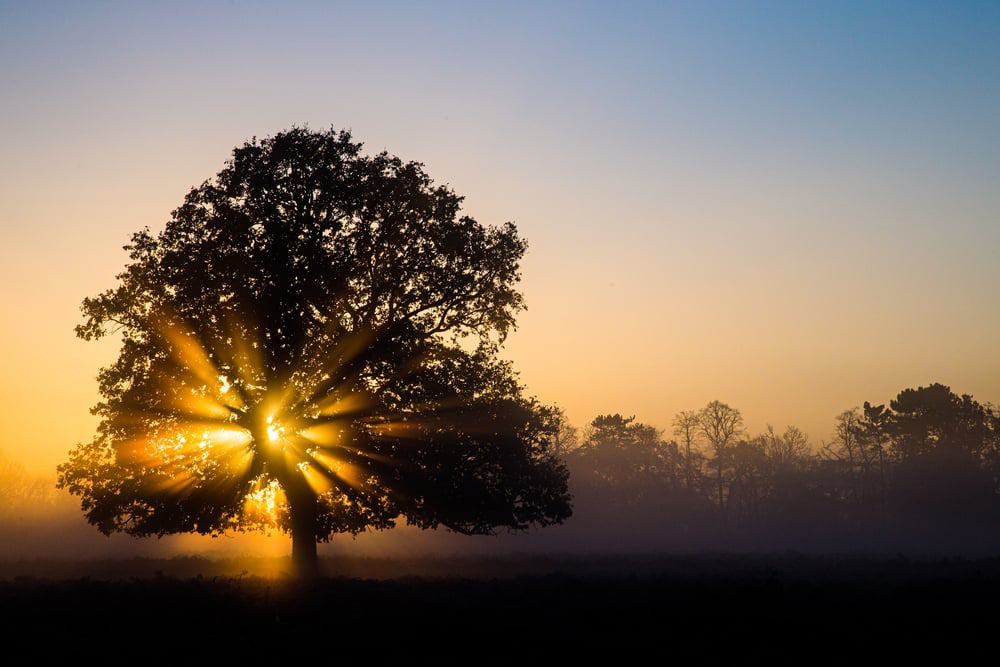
[705, 609]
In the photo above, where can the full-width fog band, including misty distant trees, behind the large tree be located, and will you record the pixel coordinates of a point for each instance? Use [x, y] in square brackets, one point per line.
[916, 476]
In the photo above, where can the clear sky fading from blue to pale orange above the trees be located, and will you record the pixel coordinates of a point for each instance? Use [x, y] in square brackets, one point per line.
[790, 207]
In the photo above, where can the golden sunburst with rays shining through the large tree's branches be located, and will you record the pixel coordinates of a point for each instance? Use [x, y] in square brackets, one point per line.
[224, 421]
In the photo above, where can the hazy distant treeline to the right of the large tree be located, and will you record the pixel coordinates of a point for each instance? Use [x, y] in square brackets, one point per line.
[921, 472]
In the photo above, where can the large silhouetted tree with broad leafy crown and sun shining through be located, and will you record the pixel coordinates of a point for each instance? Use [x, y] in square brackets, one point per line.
[311, 343]
